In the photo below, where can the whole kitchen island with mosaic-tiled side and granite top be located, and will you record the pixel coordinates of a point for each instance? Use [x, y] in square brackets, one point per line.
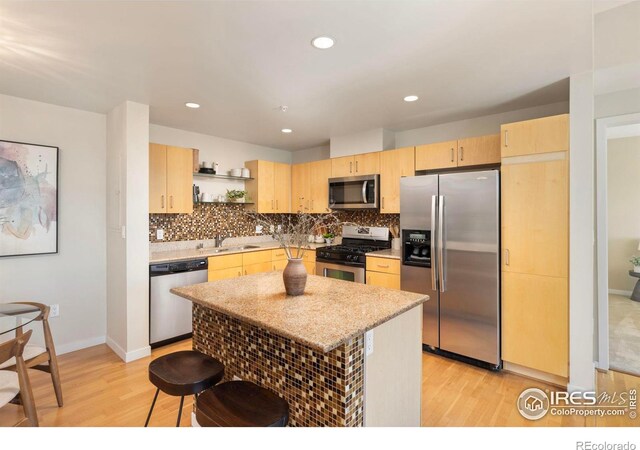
[311, 349]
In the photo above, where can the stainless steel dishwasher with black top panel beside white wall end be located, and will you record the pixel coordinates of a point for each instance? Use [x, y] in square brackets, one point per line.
[170, 315]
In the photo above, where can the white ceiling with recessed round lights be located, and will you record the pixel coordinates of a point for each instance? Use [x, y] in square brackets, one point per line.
[241, 59]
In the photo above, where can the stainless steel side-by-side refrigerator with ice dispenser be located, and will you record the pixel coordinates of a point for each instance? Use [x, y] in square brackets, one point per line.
[450, 250]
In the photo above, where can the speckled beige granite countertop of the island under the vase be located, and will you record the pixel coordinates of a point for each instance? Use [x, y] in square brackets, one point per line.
[330, 312]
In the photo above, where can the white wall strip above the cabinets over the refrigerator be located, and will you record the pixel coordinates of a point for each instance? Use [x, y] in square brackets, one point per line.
[478, 126]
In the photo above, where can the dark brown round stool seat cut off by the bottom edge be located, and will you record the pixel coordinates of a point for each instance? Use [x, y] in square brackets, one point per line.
[241, 404]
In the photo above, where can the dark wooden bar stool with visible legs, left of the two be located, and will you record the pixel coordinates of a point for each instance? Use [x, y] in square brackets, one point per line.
[183, 373]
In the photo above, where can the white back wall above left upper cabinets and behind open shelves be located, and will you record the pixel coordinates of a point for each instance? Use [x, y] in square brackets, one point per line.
[228, 153]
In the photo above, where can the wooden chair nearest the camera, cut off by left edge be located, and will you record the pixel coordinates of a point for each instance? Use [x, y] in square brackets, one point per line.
[14, 383]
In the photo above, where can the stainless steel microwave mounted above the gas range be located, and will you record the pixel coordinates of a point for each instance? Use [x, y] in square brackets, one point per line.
[361, 192]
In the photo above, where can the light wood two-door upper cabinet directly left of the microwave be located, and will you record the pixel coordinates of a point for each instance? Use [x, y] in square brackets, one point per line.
[310, 186]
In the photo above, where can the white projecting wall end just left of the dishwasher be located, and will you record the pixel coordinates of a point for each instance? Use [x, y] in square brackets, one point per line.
[128, 190]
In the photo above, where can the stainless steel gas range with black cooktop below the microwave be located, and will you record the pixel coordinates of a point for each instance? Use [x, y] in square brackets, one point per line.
[356, 242]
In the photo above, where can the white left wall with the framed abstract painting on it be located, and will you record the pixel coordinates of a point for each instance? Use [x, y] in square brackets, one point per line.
[75, 278]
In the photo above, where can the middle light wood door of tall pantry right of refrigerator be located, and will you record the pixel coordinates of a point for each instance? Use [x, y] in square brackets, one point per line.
[535, 218]
